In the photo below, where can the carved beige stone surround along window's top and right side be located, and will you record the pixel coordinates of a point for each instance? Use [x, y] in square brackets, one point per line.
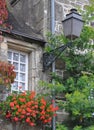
[35, 66]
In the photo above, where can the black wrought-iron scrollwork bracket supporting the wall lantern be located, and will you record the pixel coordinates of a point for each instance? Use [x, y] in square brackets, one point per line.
[50, 57]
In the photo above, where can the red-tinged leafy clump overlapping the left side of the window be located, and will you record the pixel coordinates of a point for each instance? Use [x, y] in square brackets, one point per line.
[7, 74]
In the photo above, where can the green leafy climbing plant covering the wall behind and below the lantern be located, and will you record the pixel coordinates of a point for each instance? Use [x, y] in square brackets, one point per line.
[78, 80]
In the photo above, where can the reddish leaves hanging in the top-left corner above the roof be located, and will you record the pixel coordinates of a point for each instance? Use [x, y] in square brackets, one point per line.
[3, 11]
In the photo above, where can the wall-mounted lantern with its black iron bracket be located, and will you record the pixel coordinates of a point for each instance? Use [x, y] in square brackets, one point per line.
[72, 26]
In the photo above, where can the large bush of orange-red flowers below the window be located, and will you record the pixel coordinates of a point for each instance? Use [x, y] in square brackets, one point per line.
[28, 108]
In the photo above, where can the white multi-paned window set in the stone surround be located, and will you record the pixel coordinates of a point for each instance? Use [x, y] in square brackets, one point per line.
[20, 61]
